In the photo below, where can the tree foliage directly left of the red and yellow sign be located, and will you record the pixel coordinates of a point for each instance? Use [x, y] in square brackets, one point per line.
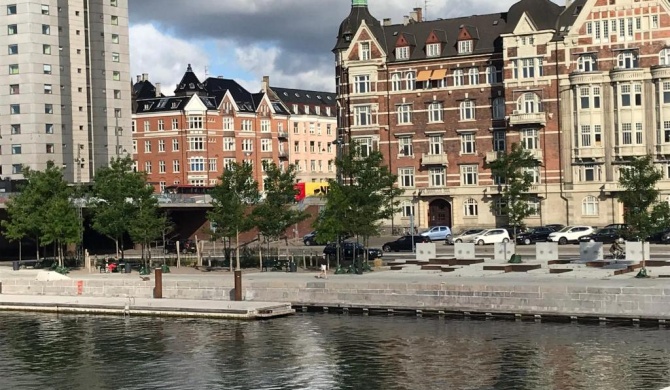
[277, 211]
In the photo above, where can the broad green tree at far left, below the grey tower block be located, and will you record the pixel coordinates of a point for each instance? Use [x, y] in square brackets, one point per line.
[44, 210]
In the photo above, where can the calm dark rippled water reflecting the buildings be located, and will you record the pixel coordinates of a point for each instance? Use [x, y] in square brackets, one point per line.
[321, 351]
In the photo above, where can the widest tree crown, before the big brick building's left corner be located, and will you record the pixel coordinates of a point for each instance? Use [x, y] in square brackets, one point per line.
[365, 195]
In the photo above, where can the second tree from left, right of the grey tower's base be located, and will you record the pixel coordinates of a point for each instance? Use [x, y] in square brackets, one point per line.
[118, 192]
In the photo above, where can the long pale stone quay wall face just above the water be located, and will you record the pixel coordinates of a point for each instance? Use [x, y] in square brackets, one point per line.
[584, 299]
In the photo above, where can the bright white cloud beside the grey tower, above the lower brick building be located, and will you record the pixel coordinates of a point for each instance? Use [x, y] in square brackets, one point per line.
[163, 57]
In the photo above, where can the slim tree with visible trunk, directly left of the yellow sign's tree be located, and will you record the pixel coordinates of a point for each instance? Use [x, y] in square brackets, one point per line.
[232, 199]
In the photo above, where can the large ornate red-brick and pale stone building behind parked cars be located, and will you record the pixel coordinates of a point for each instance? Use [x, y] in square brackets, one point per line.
[584, 87]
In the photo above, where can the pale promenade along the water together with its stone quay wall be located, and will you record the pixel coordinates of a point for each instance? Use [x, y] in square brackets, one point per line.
[594, 294]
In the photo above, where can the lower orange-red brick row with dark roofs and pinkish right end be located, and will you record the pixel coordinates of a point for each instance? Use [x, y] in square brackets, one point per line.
[189, 138]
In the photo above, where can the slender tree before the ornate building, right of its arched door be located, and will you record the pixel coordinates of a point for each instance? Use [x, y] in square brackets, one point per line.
[513, 170]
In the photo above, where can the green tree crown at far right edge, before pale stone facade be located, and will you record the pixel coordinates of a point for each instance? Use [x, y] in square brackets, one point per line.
[640, 197]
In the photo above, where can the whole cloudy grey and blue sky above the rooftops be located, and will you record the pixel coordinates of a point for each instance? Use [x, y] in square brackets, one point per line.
[288, 40]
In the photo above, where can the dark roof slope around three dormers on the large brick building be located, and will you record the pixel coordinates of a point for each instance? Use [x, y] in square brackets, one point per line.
[485, 28]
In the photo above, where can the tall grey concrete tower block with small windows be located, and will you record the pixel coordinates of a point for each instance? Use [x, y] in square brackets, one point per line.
[65, 86]
